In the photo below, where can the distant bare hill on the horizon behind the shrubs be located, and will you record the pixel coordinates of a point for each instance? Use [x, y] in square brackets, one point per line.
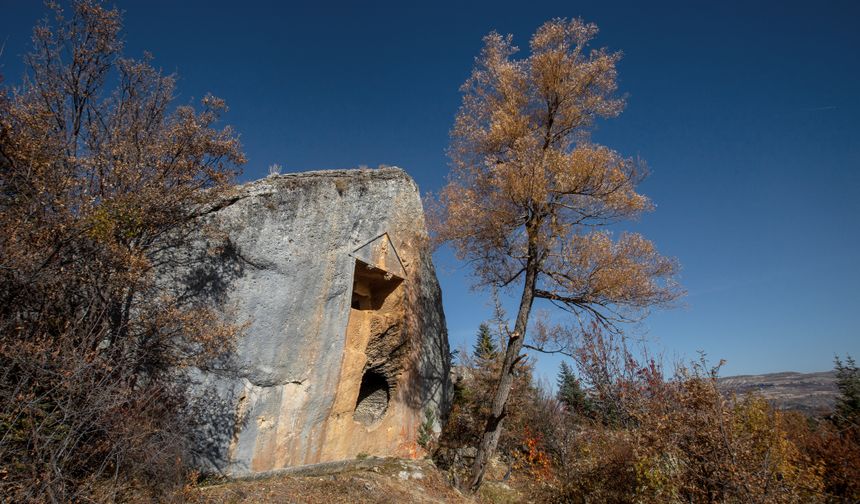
[811, 393]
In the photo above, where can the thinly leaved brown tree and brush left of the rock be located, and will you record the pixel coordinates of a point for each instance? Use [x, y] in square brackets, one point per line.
[101, 179]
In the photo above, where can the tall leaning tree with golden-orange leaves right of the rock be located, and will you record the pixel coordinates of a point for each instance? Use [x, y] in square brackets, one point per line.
[530, 195]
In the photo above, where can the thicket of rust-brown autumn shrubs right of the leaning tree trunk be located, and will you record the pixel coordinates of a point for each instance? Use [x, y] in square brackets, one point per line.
[679, 439]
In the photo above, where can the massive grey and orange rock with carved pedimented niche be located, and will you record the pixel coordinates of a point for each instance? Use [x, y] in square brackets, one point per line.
[344, 346]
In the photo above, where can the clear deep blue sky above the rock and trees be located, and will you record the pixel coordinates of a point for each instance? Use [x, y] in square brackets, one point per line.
[747, 113]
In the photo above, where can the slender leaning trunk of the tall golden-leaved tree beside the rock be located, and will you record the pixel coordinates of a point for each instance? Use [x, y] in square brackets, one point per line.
[493, 428]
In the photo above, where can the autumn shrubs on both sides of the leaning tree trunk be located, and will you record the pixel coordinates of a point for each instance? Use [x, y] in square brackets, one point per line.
[623, 430]
